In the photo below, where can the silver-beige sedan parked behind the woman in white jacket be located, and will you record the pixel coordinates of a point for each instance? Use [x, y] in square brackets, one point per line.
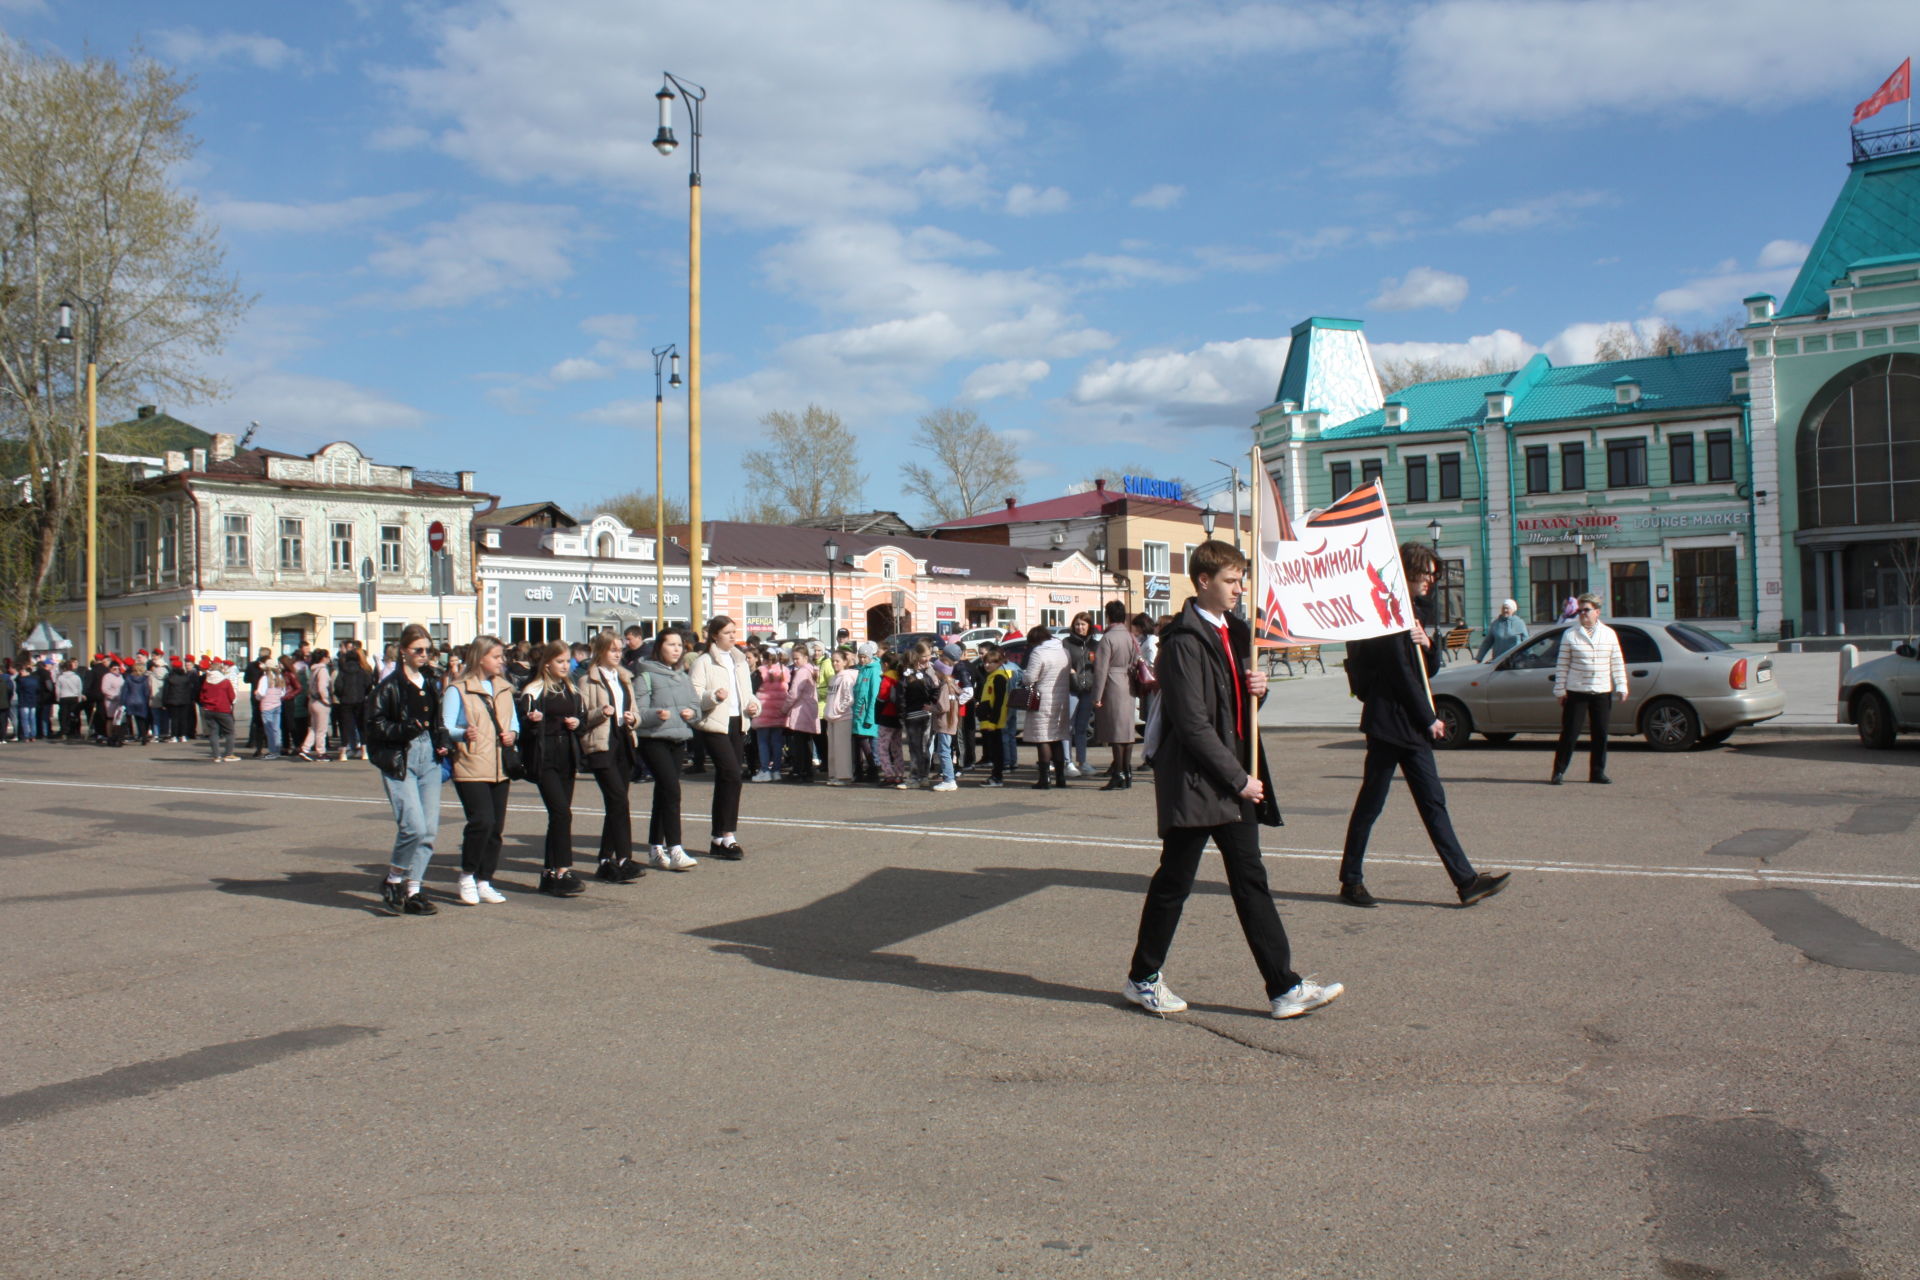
[1683, 686]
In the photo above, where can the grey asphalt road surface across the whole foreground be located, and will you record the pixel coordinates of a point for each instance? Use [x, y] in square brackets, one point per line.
[890, 1041]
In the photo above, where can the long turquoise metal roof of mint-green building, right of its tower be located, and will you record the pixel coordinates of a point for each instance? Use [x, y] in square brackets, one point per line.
[1547, 394]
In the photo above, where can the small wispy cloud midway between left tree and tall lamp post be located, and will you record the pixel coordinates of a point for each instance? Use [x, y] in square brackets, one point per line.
[492, 249]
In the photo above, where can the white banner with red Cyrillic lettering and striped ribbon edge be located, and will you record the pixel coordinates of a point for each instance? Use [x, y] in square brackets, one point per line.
[1335, 579]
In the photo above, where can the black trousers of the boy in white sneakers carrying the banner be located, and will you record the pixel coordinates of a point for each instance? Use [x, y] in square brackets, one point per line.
[1253, 903]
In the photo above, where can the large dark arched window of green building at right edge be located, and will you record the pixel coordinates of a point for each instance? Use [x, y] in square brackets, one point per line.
[1860, 448]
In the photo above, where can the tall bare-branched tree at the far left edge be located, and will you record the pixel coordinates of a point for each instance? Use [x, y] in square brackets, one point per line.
[89, 214]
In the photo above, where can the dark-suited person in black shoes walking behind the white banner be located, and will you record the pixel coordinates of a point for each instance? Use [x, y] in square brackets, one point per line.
[1401, 723]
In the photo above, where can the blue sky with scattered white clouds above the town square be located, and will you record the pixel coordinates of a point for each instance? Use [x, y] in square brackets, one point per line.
[1092, 224]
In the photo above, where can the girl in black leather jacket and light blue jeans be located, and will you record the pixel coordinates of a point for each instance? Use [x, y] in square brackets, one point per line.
[408, 742]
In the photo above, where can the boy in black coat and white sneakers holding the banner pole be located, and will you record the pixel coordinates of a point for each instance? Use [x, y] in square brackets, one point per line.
[1203, 790]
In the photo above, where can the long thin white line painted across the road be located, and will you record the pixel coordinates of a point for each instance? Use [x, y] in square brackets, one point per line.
[1767, 876]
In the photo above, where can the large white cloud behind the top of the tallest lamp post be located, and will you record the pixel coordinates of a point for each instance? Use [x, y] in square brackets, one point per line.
[813, 122]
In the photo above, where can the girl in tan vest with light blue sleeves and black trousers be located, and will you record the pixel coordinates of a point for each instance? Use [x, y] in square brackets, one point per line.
[483, 724]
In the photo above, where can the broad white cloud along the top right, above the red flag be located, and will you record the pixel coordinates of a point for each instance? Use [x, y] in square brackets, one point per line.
[1543, 60]
